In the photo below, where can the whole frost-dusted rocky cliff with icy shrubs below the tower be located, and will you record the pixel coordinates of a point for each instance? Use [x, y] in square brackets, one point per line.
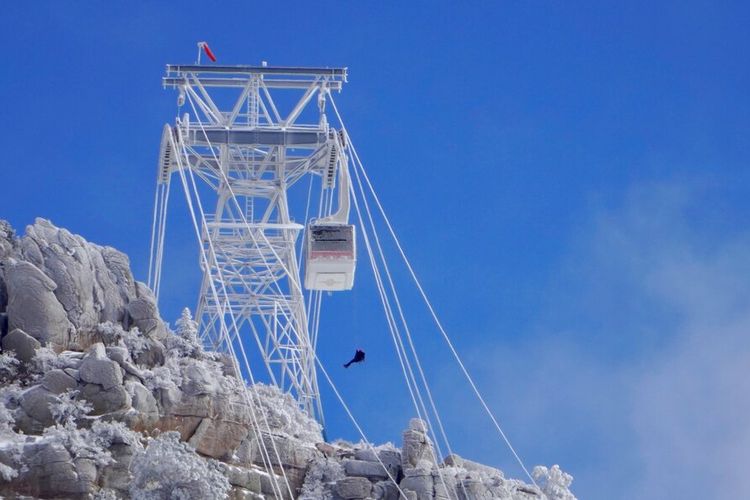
[100, 399]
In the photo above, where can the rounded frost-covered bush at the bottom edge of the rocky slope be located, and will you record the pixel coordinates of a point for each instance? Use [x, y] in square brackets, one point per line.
[169, 468]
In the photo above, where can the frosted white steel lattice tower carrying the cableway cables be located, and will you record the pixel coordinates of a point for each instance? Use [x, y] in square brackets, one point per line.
[247, 153]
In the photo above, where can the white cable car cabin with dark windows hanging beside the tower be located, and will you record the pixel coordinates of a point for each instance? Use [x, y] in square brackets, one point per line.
[331, 257]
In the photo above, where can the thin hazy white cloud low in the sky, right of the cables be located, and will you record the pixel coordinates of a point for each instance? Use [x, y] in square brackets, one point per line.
[639, 375]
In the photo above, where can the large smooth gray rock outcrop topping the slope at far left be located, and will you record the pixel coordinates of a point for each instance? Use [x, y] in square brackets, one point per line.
[58, 287]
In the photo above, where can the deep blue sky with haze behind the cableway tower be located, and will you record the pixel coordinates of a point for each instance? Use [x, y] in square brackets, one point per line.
[569, 179]
